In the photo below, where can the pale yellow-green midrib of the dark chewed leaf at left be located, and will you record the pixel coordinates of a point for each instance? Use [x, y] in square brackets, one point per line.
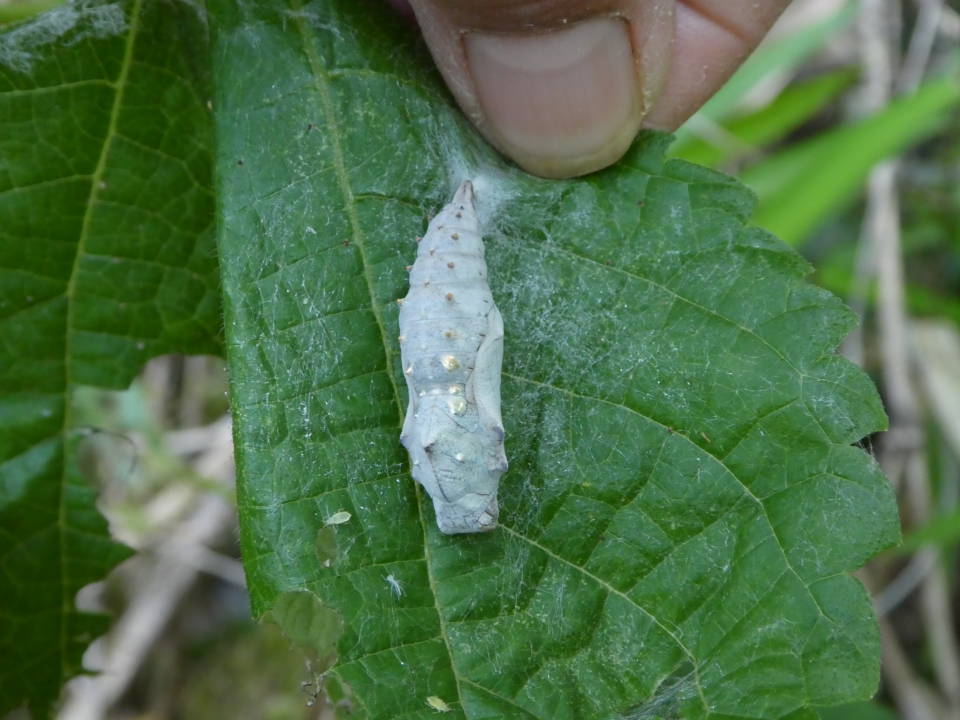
[119, 85]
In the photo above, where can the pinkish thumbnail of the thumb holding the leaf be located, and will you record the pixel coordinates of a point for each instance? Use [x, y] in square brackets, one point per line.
[559, 103]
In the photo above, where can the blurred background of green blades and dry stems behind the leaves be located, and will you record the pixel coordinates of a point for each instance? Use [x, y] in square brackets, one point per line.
[846, 124]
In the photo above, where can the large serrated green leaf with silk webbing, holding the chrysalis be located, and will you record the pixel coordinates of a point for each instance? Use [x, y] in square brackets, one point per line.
[683, 503]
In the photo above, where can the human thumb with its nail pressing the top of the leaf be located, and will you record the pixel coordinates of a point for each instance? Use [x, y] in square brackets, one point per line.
[560, 87]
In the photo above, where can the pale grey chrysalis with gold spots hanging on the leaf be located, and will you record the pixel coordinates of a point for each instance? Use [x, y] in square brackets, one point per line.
[451, 347]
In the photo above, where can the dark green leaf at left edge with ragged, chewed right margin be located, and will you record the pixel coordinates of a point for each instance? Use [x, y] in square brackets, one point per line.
[106, 259]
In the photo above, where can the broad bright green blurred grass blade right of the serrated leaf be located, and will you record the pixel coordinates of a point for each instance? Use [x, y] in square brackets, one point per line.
[800, 188]
